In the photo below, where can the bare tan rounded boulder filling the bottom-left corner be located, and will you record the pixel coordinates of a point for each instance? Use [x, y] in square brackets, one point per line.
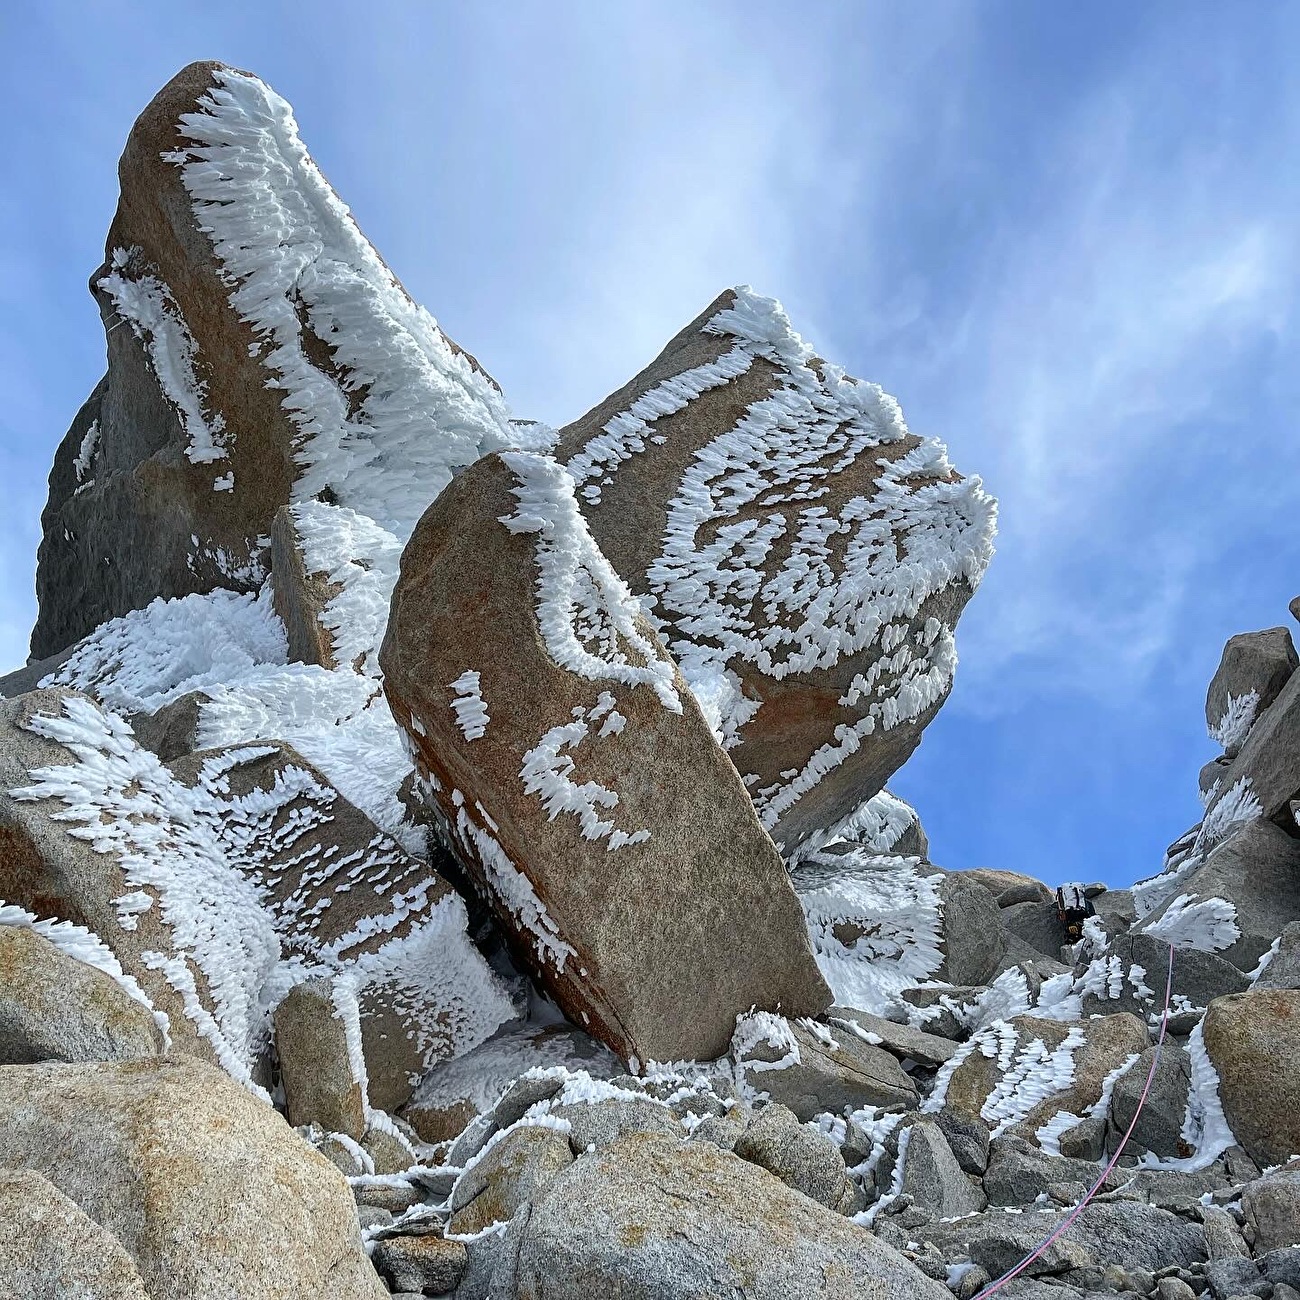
[50, 1250]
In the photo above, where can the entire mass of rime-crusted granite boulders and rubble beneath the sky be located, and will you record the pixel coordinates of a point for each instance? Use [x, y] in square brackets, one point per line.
[445, 857]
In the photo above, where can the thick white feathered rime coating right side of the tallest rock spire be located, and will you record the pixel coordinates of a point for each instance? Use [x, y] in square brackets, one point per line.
[401, 408]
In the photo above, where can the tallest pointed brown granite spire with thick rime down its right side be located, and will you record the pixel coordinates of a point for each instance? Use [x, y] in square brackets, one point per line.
[259, 352]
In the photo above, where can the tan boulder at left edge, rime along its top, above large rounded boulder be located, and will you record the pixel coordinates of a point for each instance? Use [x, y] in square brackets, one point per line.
[58, 1008]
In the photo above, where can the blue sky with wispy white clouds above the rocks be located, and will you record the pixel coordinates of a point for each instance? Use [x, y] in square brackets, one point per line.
[1064, 237]
